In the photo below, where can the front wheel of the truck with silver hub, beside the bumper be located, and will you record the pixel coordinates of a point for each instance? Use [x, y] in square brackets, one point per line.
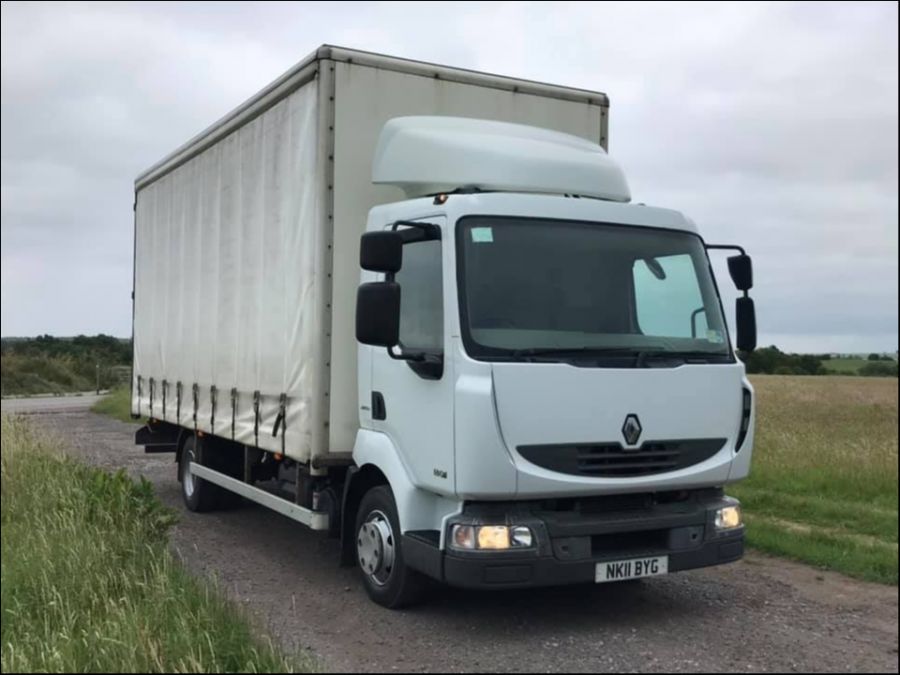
[379, 554]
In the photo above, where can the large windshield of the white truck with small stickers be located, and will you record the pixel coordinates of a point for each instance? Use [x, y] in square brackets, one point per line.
[536, 289]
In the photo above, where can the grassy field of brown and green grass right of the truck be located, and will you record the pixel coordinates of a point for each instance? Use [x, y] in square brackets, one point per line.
[823, 485]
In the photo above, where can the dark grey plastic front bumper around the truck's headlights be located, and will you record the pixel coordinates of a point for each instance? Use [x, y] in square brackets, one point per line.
[570, 544]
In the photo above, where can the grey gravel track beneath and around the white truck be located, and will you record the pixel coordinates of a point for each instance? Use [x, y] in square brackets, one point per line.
[760, 614]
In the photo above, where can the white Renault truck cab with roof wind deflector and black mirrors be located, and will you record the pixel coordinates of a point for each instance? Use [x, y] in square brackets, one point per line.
[546, 379]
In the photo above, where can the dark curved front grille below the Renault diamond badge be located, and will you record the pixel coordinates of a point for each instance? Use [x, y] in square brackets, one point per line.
[612, 460]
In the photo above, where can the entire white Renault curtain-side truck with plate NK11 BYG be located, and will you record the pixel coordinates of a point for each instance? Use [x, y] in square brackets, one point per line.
[413, 306]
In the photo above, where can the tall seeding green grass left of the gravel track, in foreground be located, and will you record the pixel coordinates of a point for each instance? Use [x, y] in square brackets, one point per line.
[88, 581]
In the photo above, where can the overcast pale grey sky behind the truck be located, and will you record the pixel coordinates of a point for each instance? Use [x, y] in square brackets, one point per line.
[772, 125]
